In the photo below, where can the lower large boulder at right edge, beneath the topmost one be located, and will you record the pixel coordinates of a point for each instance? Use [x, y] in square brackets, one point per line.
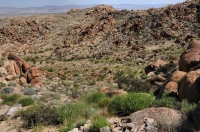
[189, 88]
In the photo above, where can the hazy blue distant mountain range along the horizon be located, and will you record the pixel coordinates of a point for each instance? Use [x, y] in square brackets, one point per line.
[11, 11]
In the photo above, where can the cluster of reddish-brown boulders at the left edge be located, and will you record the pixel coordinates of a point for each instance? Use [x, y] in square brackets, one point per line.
[15, 67]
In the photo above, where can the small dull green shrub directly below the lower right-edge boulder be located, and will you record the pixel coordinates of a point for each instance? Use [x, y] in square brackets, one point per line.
[187, 107]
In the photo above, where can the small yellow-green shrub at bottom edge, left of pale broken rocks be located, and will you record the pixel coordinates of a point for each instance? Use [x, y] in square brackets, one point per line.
[98, 122]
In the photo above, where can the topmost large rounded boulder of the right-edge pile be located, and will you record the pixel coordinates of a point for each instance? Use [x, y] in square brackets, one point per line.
[191, 57]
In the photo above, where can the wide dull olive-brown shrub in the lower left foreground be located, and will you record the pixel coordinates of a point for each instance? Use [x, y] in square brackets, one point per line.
[40, 114]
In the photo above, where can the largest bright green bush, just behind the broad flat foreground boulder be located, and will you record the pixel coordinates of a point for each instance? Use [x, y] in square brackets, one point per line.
[126, 104]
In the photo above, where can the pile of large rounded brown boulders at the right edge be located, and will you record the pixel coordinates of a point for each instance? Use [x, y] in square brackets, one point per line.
[185, 82]
